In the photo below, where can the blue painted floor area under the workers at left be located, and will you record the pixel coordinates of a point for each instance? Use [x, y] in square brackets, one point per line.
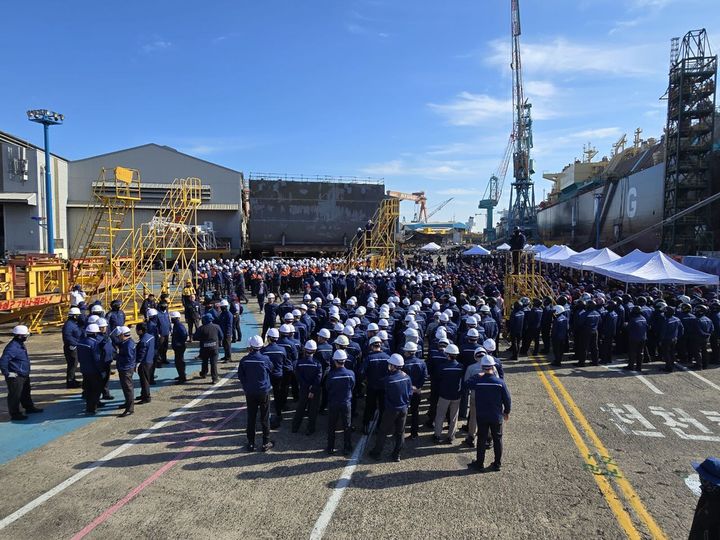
[67, 415]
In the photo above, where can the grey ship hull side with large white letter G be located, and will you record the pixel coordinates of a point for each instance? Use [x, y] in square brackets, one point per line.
[637, 205]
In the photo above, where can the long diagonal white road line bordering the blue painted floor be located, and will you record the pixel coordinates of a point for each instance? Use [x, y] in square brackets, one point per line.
[12, 518]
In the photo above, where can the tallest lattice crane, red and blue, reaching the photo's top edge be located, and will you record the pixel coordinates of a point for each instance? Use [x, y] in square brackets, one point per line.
[522, 212]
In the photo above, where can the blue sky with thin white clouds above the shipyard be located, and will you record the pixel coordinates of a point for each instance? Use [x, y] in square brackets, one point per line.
[414, 91]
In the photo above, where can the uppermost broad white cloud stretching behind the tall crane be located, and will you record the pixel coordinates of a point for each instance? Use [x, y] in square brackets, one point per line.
[564, 56]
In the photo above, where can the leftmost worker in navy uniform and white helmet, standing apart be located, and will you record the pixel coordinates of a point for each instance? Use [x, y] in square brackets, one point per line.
[15, 367]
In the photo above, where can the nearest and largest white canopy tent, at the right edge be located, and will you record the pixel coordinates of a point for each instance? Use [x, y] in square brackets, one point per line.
[656, 267]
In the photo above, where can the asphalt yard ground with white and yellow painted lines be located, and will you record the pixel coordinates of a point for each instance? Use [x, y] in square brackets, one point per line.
[576, 465]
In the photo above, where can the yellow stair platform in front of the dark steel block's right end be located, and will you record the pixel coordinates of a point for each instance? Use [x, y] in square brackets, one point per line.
[377, 248]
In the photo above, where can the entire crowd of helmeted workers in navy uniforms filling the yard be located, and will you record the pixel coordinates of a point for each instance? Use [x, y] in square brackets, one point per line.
[333, 340]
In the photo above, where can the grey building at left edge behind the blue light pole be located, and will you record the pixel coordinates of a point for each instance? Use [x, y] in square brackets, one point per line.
[22, 198]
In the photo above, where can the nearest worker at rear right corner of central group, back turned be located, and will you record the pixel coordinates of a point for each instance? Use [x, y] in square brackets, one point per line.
[492, 406]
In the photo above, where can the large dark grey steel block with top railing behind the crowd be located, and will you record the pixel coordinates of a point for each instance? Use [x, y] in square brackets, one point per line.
[291, 214]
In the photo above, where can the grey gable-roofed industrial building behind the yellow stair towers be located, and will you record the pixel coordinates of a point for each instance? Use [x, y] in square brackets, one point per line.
[219, 214]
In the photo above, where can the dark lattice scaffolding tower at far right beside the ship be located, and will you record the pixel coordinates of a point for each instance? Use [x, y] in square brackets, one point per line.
[689, 140]
